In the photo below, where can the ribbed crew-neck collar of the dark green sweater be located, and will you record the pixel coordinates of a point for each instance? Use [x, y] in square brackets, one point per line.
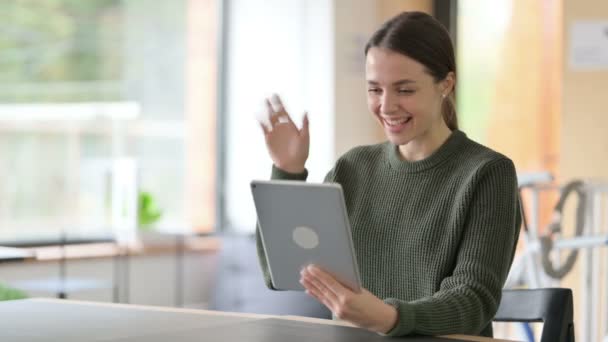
[448, 148]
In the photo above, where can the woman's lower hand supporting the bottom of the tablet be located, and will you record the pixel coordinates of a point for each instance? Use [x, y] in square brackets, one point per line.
[362, 309]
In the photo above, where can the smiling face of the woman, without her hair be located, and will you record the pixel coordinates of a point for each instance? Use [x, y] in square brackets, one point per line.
[404, 98]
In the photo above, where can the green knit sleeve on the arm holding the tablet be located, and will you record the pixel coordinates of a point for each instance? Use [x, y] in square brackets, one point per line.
[468, 299]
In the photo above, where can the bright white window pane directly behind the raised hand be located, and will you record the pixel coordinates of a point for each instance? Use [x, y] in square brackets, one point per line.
[273, 46]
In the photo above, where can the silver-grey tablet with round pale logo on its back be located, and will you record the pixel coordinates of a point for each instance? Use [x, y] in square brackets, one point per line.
[305, 223]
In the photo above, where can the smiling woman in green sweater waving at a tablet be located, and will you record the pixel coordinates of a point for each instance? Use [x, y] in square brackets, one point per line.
[434, 215]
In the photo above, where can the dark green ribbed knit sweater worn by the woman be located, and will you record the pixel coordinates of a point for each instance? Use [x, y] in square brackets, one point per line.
[435, 238]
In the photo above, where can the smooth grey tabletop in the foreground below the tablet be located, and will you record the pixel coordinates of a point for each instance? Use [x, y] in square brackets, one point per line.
[35, 320]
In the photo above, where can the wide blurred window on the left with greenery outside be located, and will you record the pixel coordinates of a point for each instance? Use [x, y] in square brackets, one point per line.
[101, 99]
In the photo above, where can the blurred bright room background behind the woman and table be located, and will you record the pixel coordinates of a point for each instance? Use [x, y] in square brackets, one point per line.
[128, 136]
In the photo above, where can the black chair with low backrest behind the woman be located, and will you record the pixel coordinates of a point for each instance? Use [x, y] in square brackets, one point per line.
[552, 306]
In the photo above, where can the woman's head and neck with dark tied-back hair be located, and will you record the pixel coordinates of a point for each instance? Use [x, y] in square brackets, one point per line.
[411, 84]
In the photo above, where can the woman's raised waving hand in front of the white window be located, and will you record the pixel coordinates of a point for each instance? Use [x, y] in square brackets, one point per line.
[287, 145]
